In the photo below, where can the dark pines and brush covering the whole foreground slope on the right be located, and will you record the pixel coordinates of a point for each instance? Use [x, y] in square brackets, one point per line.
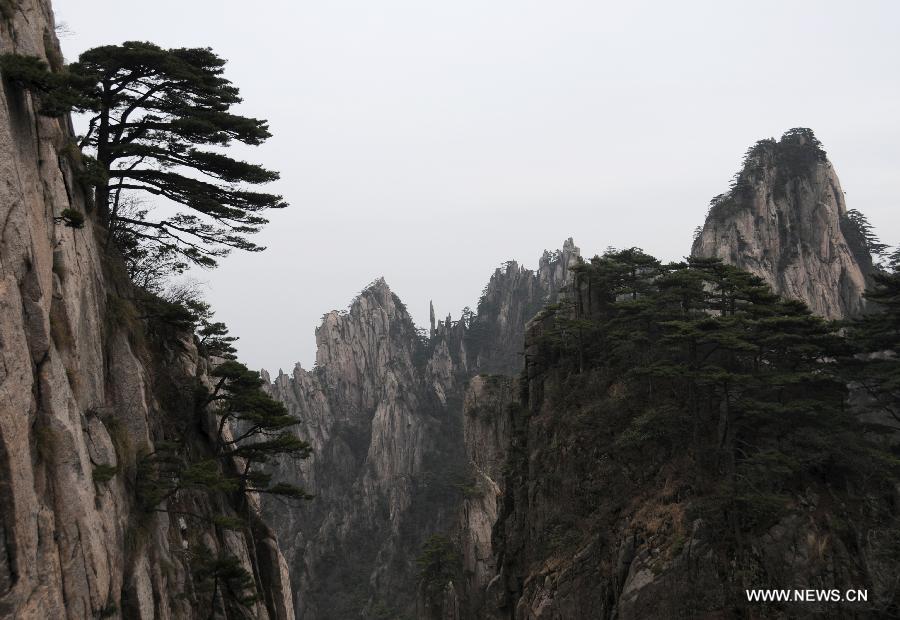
[684, 404]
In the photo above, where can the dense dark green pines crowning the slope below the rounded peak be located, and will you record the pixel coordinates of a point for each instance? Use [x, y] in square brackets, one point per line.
[705, 358]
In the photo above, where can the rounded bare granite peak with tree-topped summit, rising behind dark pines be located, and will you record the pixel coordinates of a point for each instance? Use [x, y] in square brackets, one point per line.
[785, 220]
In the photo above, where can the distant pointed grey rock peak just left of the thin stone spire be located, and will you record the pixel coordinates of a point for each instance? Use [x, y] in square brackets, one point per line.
[383, 457]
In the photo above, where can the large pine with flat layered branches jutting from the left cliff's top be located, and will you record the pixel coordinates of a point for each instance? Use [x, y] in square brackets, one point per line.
[159, 123]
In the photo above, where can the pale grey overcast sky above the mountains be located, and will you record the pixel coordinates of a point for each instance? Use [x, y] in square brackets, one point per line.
[430, 141]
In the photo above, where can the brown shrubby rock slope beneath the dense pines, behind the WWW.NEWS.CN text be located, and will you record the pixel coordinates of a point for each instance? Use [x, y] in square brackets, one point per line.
[584, 533]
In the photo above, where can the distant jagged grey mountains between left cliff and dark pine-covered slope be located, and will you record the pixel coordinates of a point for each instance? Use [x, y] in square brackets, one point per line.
[409, 440]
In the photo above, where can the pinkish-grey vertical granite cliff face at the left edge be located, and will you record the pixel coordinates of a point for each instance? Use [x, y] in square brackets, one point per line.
[85, 388]
